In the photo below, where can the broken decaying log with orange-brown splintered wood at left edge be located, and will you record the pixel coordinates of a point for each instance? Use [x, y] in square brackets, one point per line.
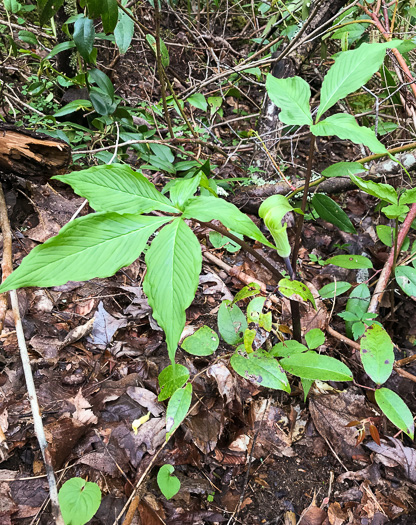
[29, 154]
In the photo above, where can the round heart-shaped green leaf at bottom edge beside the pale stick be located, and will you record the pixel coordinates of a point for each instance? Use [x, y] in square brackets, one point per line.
[79, 500]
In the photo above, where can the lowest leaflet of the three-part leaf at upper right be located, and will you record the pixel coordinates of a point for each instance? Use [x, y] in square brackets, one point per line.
[345, 127]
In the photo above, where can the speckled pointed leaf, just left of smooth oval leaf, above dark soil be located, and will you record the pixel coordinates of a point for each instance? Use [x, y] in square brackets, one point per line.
[261, 369]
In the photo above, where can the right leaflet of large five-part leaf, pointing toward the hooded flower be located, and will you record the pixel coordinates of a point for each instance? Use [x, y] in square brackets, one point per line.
[209, 208]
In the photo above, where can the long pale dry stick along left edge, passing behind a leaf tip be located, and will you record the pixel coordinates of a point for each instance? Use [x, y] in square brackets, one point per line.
[24, 355]
